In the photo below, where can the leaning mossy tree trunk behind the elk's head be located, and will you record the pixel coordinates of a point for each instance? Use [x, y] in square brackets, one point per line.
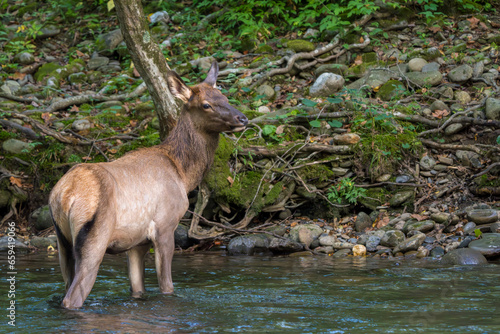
[148, 60]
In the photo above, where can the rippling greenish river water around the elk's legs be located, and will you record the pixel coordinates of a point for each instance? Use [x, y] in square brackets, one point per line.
[222, 294]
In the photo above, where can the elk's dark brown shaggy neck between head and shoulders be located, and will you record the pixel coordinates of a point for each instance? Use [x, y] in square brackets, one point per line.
[191, 150]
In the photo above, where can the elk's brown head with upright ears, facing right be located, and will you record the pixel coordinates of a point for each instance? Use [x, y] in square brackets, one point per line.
[208, 107]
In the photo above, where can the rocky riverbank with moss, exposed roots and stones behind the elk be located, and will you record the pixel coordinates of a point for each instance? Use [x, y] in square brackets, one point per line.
[381, 141]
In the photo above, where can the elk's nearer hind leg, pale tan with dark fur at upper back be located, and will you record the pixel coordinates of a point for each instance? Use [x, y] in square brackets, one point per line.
[89, 249]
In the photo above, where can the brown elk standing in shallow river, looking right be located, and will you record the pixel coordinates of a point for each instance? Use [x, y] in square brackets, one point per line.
[137, 201]
